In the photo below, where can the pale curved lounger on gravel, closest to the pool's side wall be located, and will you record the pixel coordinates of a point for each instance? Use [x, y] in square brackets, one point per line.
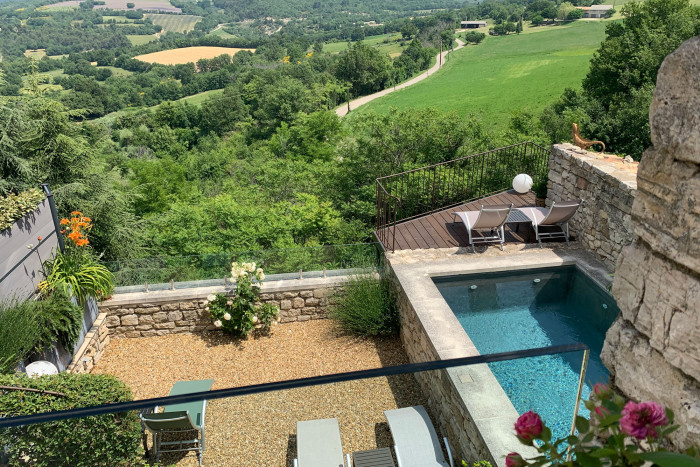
[415, 441]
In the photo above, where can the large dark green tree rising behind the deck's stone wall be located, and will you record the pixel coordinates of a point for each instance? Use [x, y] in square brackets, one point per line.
[617, 91]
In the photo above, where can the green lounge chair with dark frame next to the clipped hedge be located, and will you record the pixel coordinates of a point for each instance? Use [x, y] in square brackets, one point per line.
[179, 419]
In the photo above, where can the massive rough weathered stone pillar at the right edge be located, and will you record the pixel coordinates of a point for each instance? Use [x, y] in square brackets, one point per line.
[653, 348]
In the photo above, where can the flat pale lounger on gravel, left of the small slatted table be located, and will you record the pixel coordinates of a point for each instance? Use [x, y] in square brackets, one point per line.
[319, 445]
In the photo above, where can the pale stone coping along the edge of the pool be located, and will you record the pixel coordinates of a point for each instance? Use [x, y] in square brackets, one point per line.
[485, 401]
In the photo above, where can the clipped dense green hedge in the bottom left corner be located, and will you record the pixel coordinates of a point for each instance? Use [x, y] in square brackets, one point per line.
[106, 440]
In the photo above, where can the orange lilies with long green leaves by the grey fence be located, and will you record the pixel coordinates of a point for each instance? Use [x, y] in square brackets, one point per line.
[76, 269]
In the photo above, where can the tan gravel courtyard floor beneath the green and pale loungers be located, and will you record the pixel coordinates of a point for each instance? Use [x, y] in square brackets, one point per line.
[259, 430]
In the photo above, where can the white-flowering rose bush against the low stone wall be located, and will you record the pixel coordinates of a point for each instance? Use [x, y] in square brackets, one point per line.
[242, 312]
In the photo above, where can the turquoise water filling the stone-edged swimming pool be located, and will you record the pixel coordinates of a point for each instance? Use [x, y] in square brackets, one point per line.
[521, 310]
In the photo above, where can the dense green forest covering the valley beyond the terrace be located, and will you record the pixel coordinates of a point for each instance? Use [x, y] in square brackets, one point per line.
[266, 163]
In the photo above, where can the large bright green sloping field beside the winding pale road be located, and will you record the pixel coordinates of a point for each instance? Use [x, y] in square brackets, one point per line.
[503, 74]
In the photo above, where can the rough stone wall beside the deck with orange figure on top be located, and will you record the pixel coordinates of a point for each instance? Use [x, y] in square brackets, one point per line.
[607, 185]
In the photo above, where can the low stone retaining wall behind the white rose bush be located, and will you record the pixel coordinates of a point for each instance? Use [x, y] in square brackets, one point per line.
[144, 314]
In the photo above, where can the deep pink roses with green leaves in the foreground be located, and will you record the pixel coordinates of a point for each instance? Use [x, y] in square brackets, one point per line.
[618, 433]
